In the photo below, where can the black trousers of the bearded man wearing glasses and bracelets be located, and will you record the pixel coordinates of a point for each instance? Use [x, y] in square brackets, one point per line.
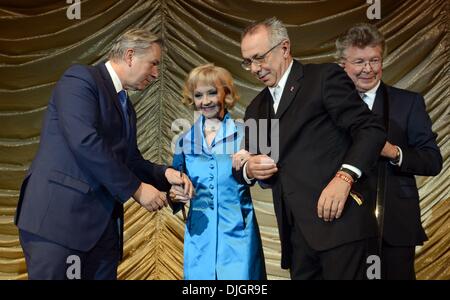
[346, 262]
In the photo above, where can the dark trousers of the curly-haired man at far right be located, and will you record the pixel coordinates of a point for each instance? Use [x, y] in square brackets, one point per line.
[397, 263]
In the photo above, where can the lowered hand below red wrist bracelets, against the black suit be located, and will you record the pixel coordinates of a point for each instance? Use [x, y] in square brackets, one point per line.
[332, 200]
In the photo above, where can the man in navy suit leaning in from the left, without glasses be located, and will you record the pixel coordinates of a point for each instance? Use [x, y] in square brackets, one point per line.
[88, 165]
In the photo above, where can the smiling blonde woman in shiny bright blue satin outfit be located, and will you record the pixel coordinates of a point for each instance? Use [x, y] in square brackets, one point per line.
[222, 239]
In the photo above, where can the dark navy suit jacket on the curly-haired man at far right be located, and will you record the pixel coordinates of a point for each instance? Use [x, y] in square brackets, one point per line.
[410, 128]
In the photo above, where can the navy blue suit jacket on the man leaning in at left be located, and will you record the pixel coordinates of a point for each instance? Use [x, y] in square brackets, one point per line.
[85, 165]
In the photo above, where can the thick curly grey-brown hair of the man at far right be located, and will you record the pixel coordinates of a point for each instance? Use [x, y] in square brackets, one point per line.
[360, 35]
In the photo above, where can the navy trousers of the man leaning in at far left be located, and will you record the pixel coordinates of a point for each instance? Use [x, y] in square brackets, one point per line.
[47, 260]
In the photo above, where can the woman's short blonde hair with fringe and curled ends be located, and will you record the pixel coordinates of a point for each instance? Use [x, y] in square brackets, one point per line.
[210, 74]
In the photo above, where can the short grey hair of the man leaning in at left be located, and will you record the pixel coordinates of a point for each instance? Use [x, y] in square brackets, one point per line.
[136, 39]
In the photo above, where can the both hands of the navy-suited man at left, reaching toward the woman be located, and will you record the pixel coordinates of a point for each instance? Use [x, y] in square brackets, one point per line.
[152, 199]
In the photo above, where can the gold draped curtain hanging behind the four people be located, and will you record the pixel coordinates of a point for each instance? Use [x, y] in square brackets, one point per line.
[38, 42]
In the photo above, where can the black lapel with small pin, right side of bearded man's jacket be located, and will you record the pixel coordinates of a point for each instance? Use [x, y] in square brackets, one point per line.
[291, 88]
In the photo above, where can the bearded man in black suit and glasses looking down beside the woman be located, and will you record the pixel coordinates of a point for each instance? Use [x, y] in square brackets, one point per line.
[327, 139]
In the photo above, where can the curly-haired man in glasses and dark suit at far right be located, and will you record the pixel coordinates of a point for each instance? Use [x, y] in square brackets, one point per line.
[410, 149]
